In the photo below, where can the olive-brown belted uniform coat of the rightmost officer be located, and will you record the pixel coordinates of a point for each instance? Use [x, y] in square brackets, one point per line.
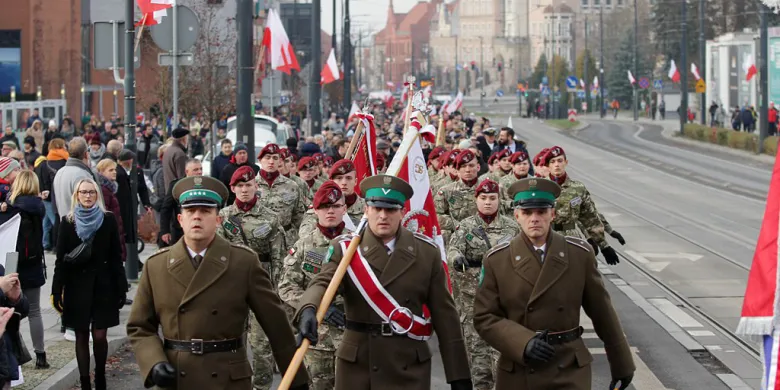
[519, 295]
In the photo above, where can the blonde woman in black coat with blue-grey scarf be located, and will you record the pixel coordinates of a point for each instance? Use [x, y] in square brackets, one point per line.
[89, 295]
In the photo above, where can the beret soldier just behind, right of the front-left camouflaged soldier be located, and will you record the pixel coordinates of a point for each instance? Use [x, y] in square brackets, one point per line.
[279, 193]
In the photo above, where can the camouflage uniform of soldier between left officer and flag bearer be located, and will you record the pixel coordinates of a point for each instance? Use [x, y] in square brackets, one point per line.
[302, 263]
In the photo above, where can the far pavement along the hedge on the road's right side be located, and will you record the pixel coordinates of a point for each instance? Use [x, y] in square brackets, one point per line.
[671, 130]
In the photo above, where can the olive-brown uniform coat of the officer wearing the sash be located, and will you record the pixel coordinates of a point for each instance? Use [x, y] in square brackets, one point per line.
[414, 275]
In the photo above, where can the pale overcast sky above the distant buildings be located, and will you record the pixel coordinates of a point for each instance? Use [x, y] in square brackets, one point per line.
[368, 14]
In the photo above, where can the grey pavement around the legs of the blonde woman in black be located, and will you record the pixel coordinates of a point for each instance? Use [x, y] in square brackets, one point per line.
[61, 353]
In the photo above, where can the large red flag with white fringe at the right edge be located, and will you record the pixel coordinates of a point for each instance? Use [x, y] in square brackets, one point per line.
[759, 307]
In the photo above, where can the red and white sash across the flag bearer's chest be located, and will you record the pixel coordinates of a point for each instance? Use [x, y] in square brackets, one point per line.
[382, 302]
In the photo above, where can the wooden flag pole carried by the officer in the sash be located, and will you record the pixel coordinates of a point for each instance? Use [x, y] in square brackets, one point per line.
[330, 293]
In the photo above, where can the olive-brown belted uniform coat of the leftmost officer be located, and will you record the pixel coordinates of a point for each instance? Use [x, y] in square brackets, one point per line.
[211, 302]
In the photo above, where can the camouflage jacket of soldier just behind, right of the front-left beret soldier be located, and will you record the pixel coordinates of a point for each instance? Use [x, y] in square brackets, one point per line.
[286, 199]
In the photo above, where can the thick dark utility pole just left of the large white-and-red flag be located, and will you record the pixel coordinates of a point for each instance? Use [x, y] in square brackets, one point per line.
[245, 128]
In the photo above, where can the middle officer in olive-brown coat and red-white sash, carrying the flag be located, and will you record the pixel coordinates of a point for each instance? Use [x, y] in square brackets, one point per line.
[384, 345]
